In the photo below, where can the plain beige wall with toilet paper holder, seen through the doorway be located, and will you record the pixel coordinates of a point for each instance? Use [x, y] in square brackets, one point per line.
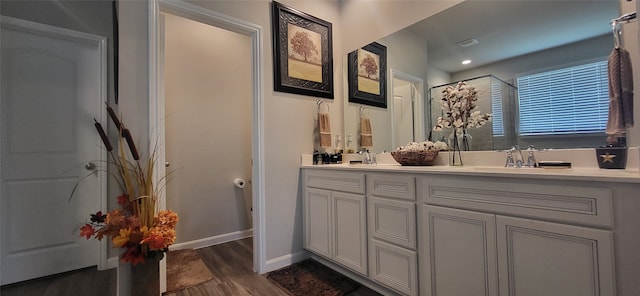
[208, 129]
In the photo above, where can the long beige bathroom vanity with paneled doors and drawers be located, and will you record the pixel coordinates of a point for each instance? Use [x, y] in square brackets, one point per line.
[475, 230]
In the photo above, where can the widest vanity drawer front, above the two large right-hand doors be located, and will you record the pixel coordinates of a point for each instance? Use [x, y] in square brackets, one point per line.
[573, 202]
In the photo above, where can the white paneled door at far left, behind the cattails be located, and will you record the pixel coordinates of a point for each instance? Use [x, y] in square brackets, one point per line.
[53, 86]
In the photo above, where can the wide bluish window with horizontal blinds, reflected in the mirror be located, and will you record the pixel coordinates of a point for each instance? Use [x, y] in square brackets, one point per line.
[572, 100]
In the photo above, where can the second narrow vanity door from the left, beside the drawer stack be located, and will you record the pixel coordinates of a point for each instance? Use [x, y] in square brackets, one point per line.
[349, 212]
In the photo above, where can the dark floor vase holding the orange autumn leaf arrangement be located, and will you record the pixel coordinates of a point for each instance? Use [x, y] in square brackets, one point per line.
[145, 277]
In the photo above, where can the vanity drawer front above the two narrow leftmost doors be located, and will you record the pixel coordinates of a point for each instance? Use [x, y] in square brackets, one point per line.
[335, 180]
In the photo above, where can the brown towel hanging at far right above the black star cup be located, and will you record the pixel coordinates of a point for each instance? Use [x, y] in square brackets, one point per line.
[620, 94]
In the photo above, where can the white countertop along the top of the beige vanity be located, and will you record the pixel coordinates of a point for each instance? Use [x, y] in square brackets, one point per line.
[580, 171]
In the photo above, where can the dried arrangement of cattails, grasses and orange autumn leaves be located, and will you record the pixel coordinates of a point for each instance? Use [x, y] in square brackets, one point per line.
[138, 226]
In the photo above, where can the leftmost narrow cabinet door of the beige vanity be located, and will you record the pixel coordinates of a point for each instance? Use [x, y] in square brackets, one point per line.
[317, 221]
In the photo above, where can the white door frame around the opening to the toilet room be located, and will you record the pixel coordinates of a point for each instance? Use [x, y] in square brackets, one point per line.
[255, 109]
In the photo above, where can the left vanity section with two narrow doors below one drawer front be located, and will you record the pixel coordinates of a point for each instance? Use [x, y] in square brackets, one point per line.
[335, 217]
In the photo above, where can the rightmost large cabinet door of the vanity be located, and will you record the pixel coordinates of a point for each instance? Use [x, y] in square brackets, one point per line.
[542, 258]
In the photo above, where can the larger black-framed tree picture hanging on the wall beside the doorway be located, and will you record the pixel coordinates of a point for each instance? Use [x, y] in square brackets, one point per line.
[302, 53]
